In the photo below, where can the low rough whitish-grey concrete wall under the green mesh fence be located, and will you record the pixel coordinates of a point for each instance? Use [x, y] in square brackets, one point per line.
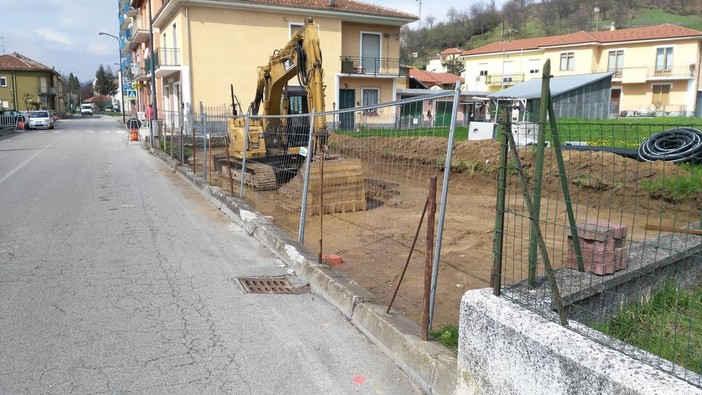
[506, 349]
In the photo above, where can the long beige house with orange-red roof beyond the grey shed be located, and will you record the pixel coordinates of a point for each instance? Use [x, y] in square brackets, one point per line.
[656, 69]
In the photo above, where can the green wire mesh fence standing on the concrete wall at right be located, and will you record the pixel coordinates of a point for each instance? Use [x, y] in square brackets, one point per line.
[603, 235]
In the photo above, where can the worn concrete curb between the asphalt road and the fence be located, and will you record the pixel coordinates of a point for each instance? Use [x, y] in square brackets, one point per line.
[429, 364]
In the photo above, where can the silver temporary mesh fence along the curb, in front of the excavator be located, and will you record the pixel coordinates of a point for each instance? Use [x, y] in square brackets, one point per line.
[375, 174]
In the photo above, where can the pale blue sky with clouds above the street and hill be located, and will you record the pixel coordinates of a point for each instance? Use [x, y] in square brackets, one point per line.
[63, 34]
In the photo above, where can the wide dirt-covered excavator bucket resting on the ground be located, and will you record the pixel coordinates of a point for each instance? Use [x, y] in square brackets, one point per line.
[338, 184]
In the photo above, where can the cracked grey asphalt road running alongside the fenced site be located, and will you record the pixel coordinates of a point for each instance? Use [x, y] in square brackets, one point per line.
[117, 277]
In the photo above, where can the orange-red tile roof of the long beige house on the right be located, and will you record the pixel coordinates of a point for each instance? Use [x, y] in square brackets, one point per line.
[658, 32]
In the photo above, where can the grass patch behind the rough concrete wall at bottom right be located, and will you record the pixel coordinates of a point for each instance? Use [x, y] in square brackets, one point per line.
[668, 325]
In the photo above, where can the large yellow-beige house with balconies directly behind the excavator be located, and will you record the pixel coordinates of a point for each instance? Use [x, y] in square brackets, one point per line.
[203, 47]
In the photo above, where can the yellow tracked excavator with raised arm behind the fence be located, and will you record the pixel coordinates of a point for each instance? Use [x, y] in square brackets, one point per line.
[277, 146]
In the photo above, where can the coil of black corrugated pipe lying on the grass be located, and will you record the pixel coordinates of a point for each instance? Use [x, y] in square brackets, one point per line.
[678, 145]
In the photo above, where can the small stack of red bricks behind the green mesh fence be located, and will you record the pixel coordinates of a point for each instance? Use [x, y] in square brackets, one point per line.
[602, 246]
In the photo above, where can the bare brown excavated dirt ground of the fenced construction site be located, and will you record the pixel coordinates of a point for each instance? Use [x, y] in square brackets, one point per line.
[374, 244]
